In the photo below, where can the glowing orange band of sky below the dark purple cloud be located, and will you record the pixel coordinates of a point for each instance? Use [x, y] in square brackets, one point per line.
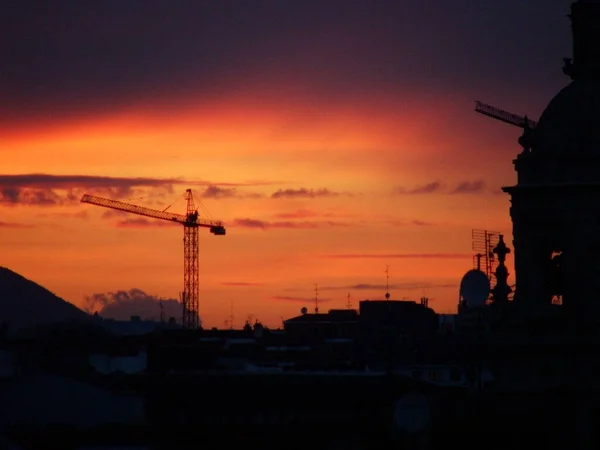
[360, 161]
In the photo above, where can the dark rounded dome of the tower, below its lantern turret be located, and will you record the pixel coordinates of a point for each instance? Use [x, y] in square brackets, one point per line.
[570, 125]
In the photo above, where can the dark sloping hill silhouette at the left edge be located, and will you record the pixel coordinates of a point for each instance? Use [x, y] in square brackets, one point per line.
[25, 304]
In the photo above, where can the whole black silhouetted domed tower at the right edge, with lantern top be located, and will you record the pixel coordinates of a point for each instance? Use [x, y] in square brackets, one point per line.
[555, 205]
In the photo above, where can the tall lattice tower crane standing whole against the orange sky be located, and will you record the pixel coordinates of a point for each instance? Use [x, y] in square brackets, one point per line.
[191, 223]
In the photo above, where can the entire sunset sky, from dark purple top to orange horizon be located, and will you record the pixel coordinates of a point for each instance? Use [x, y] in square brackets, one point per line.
[333, 138]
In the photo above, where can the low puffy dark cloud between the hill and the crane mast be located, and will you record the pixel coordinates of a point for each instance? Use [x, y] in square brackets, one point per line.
[121, 305]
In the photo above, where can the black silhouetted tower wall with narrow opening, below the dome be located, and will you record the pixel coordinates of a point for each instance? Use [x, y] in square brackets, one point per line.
[548, 220]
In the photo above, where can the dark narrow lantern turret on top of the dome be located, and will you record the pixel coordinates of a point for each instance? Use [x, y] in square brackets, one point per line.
[585, 24]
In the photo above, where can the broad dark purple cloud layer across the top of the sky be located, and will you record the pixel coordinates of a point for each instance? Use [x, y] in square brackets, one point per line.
[66, 58]
